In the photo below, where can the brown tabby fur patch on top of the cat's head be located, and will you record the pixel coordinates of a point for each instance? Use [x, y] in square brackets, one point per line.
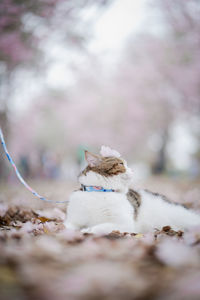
[108, 166]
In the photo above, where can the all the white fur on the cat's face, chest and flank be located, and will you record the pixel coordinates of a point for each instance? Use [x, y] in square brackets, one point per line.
[101, 213]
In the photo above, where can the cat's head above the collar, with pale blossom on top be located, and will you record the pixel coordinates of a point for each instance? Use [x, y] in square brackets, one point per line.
[107, 170]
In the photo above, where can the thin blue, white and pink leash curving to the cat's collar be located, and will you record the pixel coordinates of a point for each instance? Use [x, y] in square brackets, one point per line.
[19, 175]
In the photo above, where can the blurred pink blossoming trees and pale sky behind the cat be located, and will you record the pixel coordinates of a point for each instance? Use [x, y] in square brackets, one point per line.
[79, 74]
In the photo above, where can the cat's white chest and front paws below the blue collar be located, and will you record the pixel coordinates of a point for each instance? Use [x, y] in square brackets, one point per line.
[100, 213]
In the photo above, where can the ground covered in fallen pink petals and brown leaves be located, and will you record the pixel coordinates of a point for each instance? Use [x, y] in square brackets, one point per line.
[40, 259]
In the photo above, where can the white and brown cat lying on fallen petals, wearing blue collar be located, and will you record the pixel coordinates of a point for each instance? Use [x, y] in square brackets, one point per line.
[106, 203]
